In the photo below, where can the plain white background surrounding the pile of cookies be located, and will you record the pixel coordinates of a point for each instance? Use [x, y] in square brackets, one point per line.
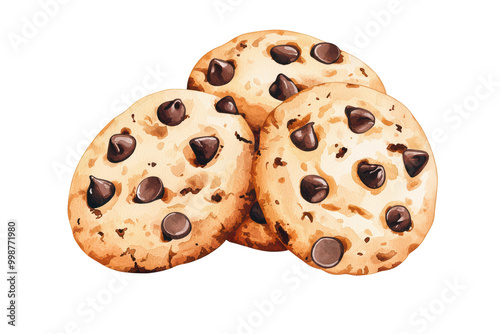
[91, 59]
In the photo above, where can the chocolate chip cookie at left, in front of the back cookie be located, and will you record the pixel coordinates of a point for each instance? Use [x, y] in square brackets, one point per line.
[162, 184]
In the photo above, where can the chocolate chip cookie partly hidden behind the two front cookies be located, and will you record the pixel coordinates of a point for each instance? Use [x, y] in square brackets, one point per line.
[255, 72]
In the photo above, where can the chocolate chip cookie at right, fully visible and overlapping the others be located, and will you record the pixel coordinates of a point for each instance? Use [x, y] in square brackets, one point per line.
[346, 178]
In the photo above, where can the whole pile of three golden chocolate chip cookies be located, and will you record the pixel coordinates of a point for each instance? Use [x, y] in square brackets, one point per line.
[281, 142]
